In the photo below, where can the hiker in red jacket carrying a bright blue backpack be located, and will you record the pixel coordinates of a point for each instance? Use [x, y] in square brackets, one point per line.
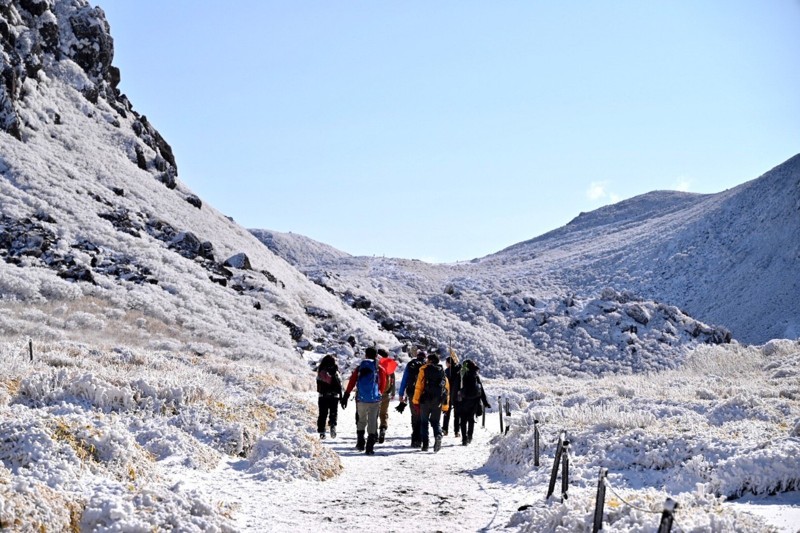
[370, 379]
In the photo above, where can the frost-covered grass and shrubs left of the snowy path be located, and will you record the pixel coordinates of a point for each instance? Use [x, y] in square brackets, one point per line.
[87, 432]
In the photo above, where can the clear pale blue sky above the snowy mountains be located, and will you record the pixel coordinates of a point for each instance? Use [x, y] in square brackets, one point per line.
[449, 130]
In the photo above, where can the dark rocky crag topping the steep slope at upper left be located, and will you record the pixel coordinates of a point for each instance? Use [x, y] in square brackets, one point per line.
[37, 35]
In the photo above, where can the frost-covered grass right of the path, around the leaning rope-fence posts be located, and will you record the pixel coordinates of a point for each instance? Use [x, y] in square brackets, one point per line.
[723, 425]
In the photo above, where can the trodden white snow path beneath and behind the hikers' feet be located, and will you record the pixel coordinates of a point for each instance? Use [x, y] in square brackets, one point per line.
[397, 489]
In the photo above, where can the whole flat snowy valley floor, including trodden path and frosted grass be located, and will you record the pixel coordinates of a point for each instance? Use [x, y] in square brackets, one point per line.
[134, 440]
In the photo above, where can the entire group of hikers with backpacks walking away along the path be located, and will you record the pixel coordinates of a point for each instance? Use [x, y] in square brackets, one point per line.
[431, 390]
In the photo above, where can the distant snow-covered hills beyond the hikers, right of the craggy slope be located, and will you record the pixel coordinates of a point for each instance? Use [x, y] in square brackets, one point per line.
[614, 289]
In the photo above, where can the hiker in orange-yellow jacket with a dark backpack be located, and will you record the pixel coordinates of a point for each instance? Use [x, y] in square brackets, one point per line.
[431, 394]
